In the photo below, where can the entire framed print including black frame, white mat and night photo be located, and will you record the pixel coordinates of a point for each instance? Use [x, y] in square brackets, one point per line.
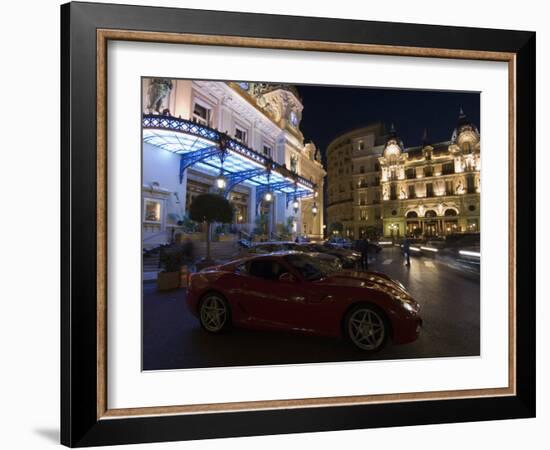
[277, 224]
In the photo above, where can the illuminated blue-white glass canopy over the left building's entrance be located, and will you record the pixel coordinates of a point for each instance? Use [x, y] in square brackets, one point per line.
[205, 148]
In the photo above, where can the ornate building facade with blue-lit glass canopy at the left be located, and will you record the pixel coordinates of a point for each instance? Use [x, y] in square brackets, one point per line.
[196, 133]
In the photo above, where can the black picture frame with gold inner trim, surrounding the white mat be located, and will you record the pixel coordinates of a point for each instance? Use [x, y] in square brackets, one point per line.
[85, 44]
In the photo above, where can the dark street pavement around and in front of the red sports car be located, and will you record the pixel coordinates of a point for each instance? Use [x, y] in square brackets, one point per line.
[173, 338]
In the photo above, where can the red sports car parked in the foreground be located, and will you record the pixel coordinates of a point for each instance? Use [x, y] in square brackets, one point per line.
[291, 291]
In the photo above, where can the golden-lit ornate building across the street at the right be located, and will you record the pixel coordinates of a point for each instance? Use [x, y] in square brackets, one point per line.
[375, 183]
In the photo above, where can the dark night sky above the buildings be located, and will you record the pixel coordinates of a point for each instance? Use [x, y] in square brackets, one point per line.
[331, 111]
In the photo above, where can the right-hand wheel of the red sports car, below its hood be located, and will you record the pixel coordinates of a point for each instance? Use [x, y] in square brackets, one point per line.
[367, 328]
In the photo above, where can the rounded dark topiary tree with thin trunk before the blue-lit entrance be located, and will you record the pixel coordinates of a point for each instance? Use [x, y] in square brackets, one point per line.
[210, 208]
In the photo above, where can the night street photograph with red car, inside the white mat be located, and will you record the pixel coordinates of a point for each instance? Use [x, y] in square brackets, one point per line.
[299, 223]
